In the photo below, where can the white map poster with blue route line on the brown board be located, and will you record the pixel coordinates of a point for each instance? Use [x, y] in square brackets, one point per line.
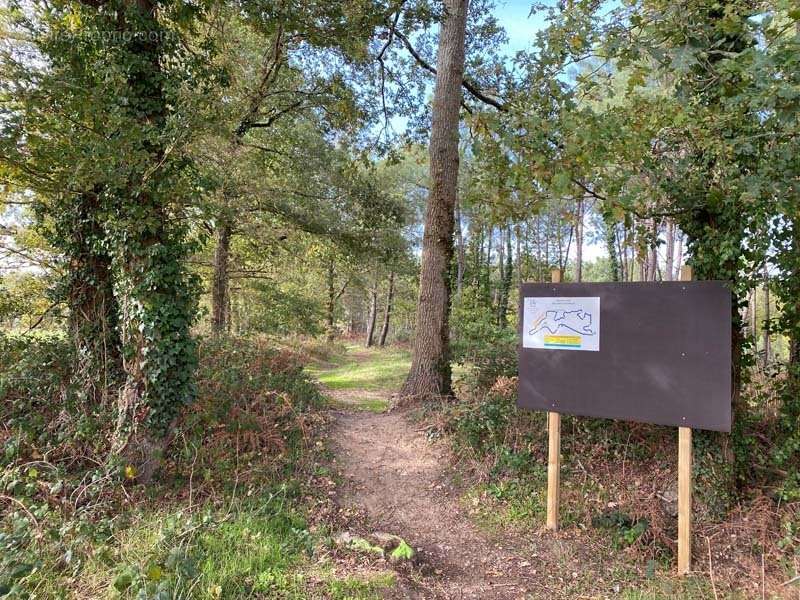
[558, 323]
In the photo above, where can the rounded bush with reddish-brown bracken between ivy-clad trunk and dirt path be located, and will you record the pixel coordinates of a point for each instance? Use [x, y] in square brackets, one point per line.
[252, 399]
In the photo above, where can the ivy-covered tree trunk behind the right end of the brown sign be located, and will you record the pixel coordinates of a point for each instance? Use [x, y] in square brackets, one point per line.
[711, 215]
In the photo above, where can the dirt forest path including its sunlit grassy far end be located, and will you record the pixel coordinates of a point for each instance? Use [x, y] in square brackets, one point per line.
[399, 481]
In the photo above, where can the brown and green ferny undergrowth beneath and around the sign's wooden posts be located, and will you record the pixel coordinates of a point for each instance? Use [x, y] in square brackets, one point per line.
[618, 494]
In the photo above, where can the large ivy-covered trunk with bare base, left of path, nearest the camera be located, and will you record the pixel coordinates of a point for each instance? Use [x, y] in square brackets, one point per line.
[158, 303]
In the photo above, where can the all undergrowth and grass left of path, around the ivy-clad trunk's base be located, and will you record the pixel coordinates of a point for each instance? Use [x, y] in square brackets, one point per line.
[226, 517]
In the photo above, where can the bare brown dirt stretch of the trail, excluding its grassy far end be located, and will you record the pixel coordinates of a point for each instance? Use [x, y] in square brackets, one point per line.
[398, 479]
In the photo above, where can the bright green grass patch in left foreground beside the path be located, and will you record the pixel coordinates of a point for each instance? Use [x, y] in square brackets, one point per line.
[259, 548]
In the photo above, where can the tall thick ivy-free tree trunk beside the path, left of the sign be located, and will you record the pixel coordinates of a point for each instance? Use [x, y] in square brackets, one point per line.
[430, 373]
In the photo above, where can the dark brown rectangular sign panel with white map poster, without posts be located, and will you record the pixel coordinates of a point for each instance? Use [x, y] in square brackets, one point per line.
[650, 352]
